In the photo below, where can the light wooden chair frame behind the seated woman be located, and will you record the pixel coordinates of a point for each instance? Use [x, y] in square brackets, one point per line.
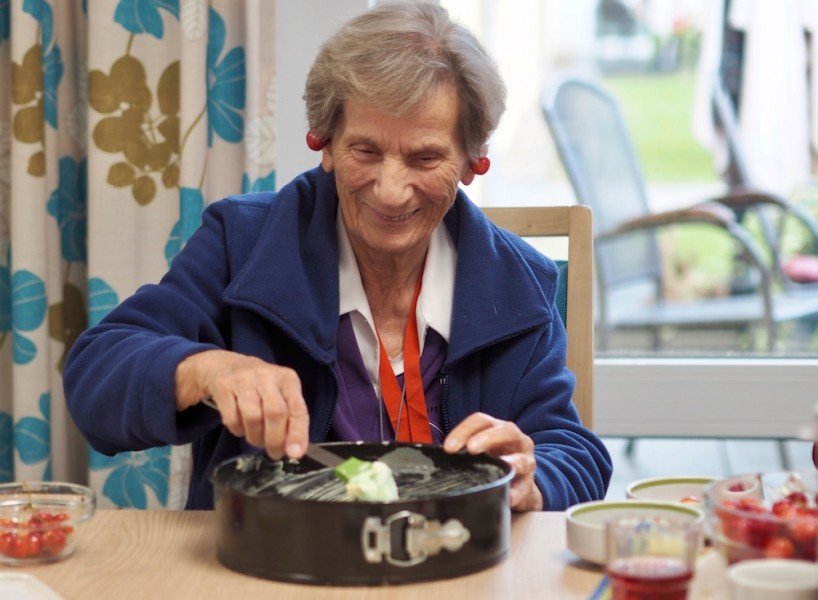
[573, 222]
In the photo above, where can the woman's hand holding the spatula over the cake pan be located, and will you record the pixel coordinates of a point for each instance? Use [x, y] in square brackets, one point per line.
[256, 399]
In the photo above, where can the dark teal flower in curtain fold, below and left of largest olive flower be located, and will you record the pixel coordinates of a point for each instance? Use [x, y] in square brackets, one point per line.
[67, 205]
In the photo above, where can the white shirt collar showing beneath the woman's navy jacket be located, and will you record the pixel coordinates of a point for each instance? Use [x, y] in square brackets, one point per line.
[434, 307]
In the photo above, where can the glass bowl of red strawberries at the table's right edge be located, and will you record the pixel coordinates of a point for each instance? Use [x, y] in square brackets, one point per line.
[768, 515]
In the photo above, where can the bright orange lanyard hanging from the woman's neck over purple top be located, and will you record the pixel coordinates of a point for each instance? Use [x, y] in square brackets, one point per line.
[411, 424]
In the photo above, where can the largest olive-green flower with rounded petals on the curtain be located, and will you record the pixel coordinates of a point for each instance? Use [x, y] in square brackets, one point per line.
[149, 144]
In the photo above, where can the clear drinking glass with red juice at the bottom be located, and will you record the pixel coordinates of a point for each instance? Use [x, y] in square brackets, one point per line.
[651, 557]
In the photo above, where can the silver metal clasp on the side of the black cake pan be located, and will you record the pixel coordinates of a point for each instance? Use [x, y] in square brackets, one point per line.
[424, 538]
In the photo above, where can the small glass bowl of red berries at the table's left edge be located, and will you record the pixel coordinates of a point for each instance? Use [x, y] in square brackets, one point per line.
[39, 520]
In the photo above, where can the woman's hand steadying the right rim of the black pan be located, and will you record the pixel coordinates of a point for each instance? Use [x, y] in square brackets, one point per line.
[480, 432]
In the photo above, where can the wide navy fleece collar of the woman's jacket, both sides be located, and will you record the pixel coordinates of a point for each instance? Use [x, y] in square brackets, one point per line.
[291, 276]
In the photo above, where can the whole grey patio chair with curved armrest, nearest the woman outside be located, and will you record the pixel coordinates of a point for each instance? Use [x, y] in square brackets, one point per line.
[602, 166]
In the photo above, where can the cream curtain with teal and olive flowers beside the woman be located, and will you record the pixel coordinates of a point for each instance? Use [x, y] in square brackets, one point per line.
[119, 121]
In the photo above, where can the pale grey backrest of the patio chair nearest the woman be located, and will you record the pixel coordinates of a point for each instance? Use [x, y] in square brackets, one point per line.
[602, 165]
